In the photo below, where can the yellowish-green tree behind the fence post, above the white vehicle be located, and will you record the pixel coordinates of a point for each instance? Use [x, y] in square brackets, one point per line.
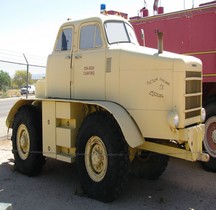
[20, 78]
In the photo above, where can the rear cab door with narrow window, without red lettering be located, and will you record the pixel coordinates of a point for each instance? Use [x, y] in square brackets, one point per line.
[59, 65]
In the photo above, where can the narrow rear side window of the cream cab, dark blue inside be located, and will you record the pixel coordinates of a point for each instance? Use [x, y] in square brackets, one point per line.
[65, 40]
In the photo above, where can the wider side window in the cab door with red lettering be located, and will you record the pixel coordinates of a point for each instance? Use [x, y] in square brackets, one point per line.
[90, 37]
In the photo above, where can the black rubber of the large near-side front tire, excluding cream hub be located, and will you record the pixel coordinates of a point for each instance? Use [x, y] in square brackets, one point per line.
[103, 125]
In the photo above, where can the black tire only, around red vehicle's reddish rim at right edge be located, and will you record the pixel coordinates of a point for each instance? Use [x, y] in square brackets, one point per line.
[211, 164]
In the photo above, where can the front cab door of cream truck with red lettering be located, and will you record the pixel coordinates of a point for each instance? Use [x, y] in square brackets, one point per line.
[89, 63]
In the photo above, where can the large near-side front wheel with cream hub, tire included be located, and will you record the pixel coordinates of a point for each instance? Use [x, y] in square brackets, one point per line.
[102, 157]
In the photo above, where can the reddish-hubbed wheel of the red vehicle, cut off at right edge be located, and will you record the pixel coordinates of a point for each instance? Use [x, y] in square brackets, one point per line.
[209, 141]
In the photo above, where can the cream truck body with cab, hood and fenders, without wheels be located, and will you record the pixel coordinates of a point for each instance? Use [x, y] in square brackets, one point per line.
[155, 97]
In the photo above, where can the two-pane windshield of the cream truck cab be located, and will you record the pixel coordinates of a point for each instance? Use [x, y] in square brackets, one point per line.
[119, 32]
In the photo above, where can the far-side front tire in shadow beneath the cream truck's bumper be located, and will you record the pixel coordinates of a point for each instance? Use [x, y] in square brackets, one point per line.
[149, 165]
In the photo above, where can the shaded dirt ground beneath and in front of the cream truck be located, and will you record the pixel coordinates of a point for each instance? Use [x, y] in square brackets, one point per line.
[184, 185]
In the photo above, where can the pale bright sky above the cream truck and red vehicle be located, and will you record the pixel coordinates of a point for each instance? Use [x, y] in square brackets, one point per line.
[30, 26]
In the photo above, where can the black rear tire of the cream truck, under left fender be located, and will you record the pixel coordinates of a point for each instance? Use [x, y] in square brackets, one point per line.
[28, 117]
